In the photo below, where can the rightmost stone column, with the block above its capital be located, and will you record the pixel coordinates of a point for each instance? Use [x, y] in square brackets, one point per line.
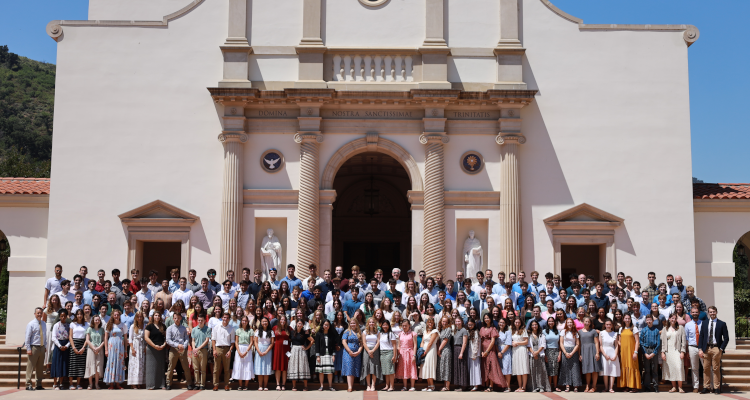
[510, 205]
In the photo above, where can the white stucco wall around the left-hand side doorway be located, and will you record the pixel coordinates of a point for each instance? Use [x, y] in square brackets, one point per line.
[135, 123]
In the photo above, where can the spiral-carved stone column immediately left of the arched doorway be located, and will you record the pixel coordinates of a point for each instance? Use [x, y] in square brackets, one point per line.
[308, 240]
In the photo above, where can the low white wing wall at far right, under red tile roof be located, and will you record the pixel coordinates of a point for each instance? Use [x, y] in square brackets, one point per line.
[716, 234]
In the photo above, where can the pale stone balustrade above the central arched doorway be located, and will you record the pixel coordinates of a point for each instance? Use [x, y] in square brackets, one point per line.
[373, 68]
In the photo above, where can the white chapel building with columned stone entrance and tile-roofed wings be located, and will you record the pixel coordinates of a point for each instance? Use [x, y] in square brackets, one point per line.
[369, 132]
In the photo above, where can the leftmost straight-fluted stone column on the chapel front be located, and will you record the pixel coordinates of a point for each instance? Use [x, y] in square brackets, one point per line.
[231, 208]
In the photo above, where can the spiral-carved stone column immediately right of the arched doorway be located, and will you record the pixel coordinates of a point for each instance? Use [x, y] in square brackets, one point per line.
[434, 204]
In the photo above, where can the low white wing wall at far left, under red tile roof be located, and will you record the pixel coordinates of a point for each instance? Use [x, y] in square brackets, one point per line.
[26, 231]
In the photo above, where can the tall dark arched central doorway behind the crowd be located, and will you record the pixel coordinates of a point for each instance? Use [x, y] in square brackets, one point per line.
[371, 216]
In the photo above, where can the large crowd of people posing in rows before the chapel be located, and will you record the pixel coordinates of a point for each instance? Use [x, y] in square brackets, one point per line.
[463, 334]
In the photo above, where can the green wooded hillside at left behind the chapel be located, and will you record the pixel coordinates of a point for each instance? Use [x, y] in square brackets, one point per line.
[27, 94]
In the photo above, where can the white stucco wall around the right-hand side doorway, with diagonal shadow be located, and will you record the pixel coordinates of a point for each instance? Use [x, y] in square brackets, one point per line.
[610, 127]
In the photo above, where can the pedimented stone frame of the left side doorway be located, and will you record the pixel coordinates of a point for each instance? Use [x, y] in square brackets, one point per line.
[157, 221]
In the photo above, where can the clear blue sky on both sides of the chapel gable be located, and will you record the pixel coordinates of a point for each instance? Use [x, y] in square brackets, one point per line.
[718, 62]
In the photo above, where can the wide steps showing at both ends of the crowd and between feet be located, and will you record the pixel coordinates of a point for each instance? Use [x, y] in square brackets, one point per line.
[735, 366]
